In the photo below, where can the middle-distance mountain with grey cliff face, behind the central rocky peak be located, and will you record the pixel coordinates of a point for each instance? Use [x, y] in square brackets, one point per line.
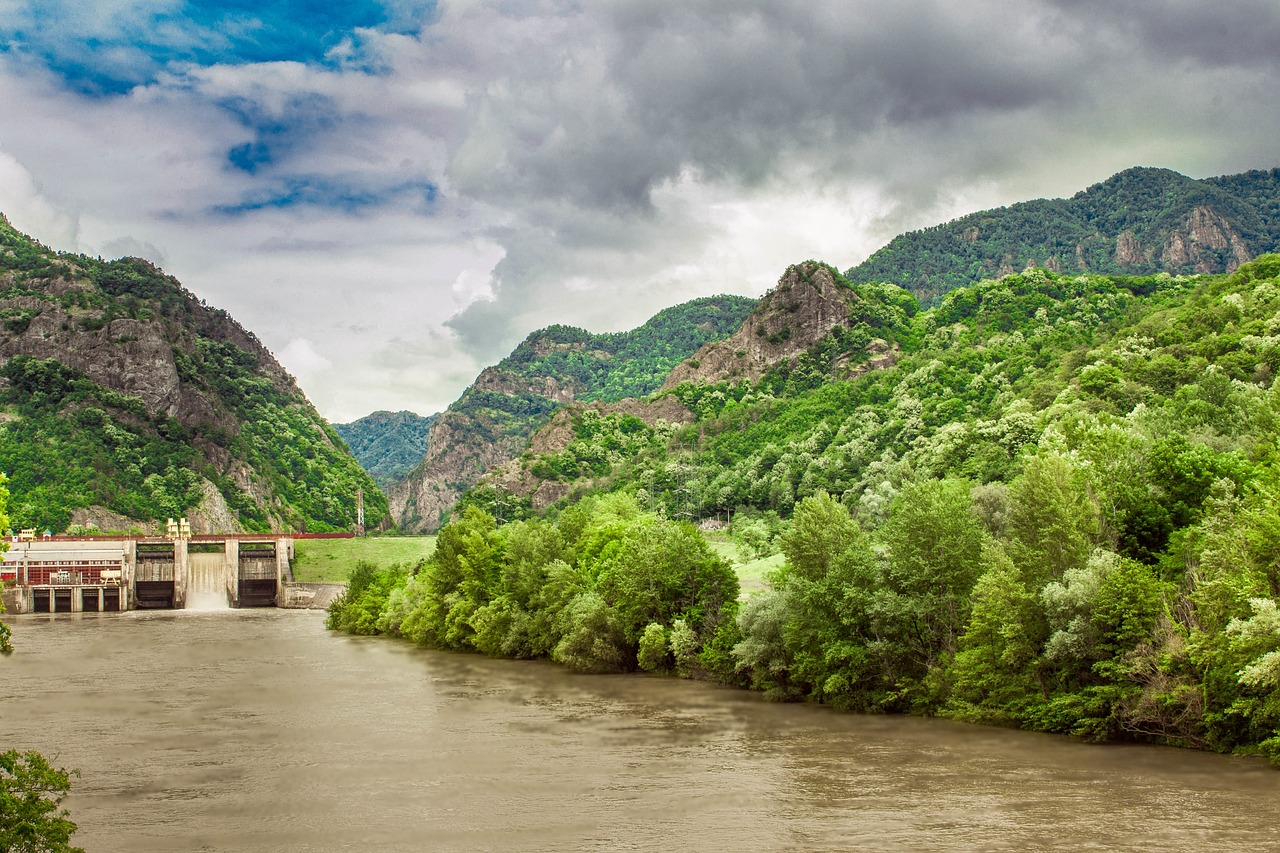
[492, 422]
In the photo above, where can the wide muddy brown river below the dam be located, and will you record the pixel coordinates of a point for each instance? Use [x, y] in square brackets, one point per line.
[258, 731]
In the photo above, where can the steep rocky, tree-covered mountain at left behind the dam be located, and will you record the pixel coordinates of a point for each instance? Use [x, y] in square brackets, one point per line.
[125, 400]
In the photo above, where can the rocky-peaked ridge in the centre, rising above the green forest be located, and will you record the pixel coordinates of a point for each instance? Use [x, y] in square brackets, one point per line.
[815, 326]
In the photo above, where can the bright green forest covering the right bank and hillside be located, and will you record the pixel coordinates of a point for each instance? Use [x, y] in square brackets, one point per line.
[1058, 510]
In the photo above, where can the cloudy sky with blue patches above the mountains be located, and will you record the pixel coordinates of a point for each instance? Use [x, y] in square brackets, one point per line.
[392, 195]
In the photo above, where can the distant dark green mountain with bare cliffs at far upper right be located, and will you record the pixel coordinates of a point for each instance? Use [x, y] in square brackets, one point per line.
[1136, 223]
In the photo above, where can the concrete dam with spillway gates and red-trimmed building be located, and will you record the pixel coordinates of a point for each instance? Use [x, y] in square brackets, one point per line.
[95, 574]
